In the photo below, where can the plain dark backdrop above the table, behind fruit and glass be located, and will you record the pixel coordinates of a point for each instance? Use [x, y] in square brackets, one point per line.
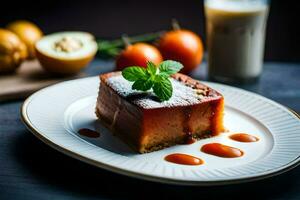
[112, 18]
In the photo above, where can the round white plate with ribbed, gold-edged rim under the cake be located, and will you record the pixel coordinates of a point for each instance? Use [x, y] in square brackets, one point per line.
[56, 113]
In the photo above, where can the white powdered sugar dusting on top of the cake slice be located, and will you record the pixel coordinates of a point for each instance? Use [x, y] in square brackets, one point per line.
[182, 95]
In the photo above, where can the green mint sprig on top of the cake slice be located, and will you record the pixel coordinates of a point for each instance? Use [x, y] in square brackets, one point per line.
[155, 77]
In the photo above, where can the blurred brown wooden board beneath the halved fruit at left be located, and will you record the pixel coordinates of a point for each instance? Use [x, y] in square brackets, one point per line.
[29, 78]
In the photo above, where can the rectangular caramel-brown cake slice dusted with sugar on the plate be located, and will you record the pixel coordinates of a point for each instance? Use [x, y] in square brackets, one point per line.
[146, 124]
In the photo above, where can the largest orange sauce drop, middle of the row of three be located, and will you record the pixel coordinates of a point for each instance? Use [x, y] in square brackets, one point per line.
[221, 150]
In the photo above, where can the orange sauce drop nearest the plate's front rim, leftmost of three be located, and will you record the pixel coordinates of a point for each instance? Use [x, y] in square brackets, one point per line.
[183, 159]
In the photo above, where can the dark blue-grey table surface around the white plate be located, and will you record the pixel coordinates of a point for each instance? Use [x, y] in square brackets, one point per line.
[29, 169]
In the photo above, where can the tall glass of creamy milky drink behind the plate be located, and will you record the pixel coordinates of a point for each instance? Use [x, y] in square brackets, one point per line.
[235, 38]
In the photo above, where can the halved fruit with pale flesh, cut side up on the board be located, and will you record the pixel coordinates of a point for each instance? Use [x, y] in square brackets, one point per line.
[66, 52]
